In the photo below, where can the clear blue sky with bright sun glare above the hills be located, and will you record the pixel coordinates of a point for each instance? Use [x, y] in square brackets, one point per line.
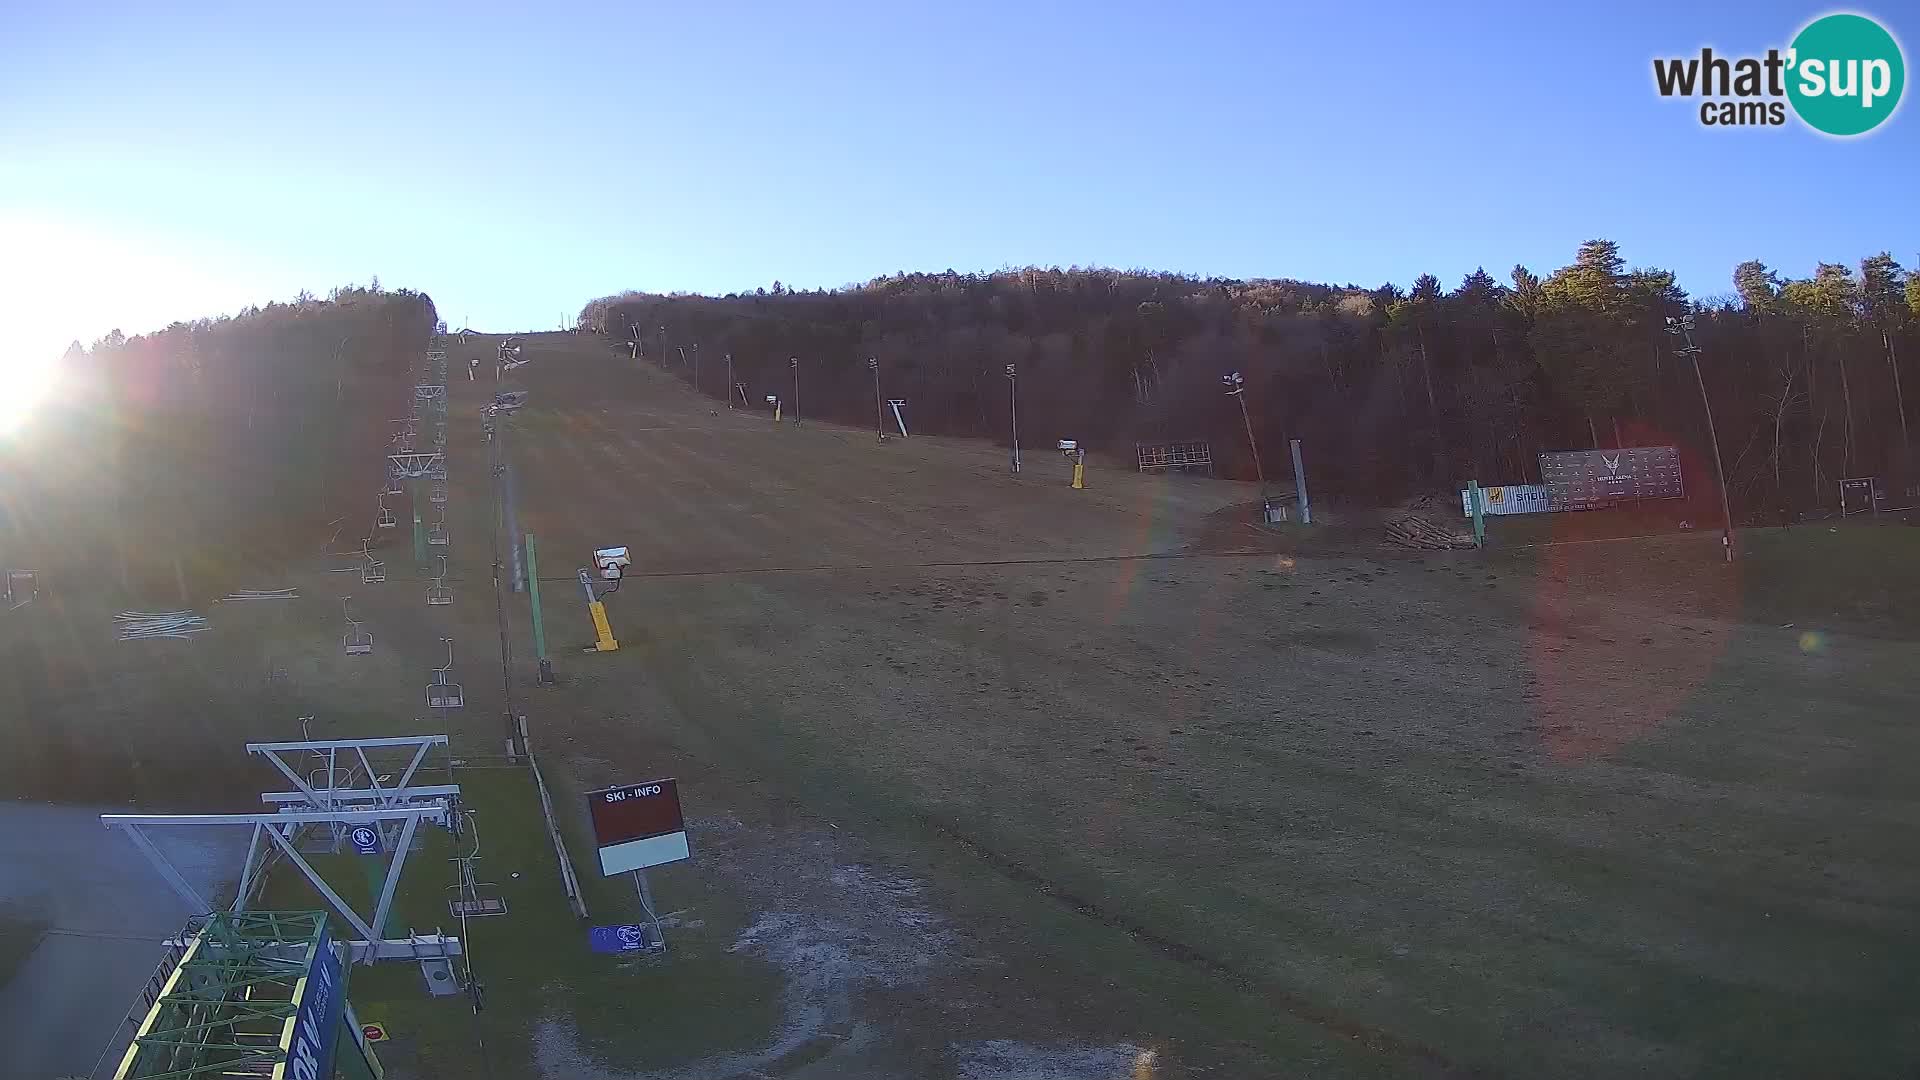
[174, 160]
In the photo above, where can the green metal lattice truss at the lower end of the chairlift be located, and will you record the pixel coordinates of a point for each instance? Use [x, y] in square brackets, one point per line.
[229, 1004]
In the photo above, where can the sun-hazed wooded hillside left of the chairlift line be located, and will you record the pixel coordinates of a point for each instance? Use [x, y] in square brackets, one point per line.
[218, 439]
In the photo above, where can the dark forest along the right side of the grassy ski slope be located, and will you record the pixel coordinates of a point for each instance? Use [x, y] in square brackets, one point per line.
[1393, 389]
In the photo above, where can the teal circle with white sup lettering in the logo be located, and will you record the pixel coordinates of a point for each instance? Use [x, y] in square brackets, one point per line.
[1846, 74]
